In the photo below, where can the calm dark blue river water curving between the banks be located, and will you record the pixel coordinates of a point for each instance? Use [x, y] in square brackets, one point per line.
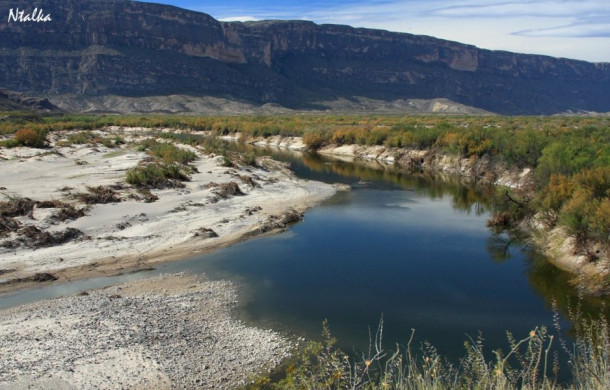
[409, 247]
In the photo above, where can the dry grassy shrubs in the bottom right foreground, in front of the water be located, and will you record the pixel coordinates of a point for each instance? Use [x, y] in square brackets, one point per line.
[529, 363]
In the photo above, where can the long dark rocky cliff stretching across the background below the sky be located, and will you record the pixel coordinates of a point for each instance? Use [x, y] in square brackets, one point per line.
[137, 49]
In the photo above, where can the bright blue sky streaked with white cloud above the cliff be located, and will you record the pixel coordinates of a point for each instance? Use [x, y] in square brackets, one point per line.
[562, 28]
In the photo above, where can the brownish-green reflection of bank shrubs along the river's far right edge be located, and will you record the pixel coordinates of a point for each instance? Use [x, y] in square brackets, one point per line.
[548, 281]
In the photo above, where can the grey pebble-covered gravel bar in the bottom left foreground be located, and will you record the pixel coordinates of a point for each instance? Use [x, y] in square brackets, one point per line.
[172, 331]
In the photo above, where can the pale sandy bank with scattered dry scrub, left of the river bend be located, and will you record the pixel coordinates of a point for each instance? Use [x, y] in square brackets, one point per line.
[130, 234]
